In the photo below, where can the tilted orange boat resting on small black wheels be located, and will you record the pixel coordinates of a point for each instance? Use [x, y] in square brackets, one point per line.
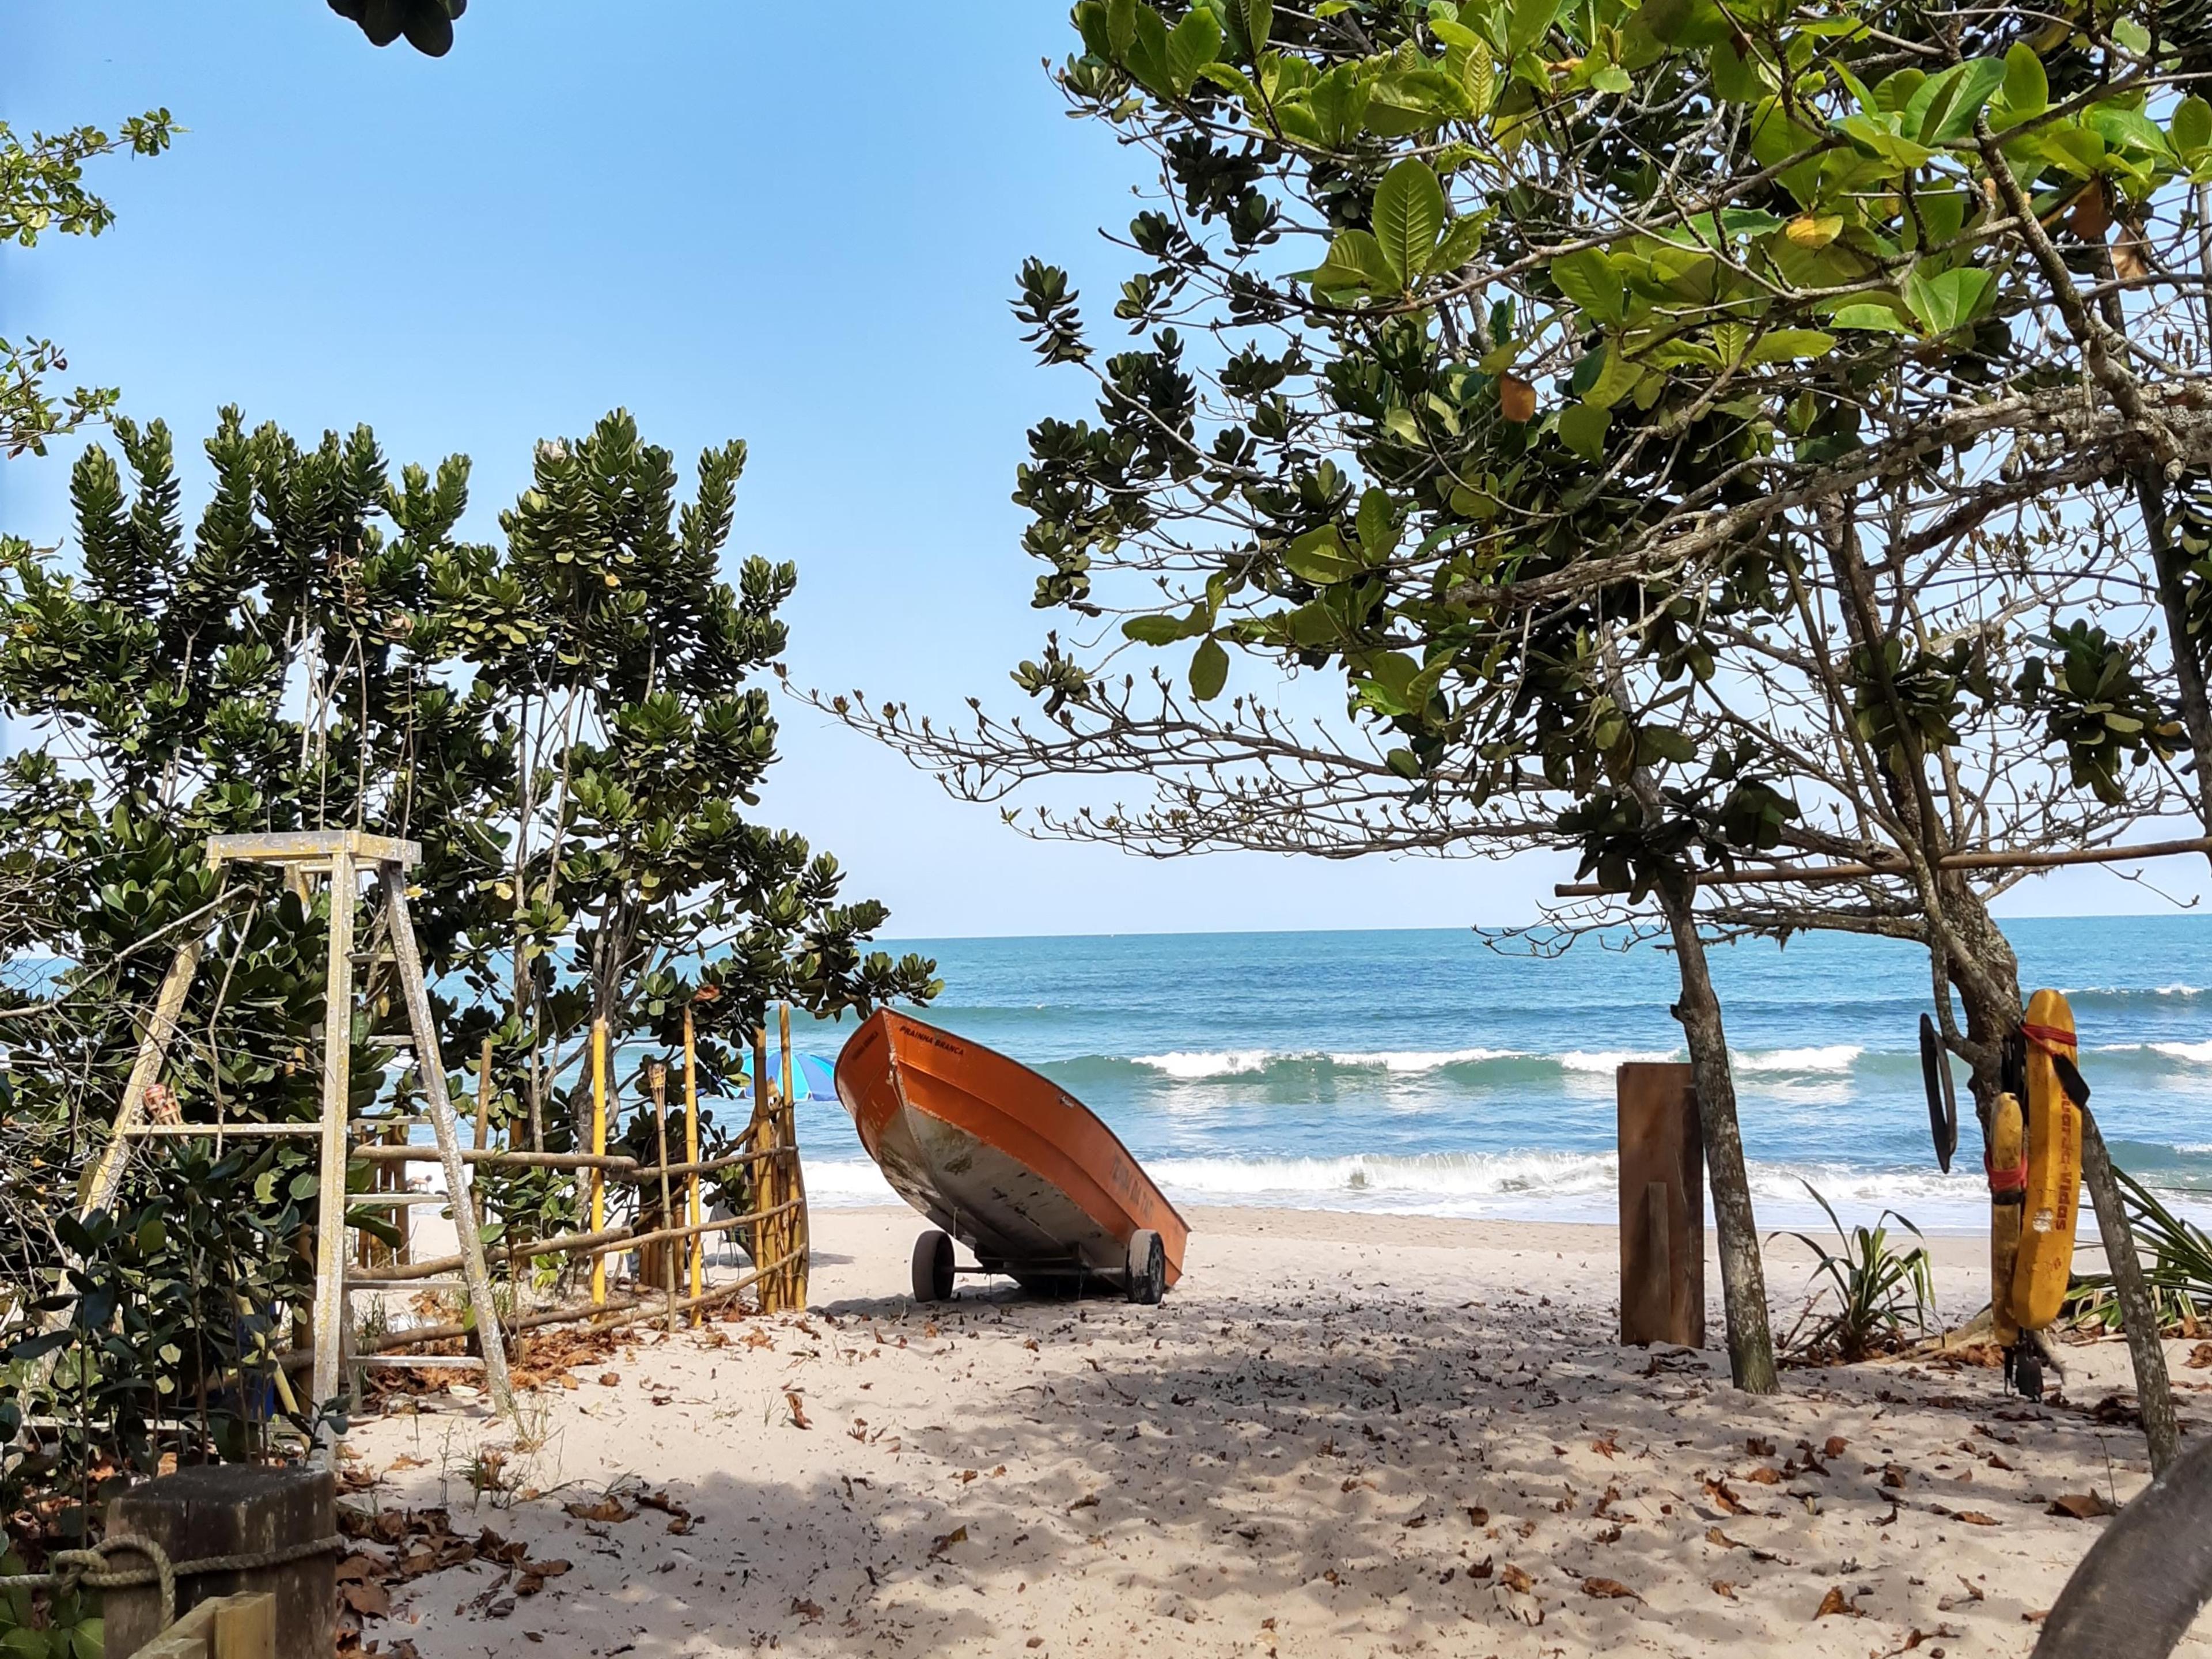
[1005, 1162]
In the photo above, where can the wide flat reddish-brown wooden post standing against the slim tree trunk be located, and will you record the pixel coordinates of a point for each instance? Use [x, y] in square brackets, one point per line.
[1662, 1207]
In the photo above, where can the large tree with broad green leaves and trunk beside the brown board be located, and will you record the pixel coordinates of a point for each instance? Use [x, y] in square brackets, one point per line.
[1768, 269]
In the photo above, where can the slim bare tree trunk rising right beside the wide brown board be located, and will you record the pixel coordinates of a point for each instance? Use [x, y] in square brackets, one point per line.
[1744, 1280]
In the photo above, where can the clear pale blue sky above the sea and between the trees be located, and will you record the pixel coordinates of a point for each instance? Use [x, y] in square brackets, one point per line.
[791, 225]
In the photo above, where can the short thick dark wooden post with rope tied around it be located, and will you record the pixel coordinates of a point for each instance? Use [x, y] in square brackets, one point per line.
[231, 1510]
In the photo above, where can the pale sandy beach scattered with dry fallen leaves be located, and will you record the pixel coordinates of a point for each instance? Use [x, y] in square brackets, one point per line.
[1339, 1434]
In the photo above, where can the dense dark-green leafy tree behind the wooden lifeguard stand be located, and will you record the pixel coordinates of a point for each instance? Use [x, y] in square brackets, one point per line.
[565, 722]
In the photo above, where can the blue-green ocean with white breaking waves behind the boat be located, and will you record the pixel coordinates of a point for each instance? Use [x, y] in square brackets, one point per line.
[1432, 1074]
